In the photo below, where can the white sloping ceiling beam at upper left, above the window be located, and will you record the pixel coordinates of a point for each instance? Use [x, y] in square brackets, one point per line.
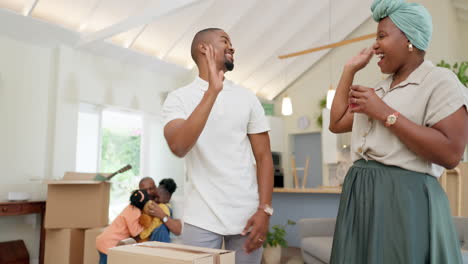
[149, 15]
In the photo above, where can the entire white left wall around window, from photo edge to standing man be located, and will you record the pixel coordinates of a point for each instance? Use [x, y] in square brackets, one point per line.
[40, 90]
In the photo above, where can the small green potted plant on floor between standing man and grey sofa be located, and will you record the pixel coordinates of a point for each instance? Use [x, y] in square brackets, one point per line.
[274, 241]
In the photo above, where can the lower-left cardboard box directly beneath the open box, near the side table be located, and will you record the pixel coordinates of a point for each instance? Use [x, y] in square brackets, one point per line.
[64, 246]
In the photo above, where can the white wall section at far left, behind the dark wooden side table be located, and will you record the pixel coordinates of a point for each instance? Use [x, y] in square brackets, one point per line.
[24, 113]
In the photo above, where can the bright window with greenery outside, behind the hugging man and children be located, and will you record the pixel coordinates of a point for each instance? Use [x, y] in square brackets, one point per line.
[107, 140]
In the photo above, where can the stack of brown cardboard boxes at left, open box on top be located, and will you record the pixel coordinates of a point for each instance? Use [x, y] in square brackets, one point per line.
[76, 212]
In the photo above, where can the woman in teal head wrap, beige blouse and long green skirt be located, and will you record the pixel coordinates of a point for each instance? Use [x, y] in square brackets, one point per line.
[404, 131]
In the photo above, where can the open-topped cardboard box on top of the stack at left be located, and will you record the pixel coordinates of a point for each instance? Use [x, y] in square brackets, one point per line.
[77, 201]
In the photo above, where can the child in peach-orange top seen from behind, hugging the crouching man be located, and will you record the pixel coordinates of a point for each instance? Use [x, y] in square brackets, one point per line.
[124, 226]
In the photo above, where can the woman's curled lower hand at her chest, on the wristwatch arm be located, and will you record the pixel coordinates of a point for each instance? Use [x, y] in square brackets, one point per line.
[364, 100]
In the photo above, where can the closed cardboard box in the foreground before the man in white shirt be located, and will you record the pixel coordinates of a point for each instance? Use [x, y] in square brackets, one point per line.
[159, 253]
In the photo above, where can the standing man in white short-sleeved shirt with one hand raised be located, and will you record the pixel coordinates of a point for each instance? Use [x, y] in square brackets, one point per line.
[216, 126]
